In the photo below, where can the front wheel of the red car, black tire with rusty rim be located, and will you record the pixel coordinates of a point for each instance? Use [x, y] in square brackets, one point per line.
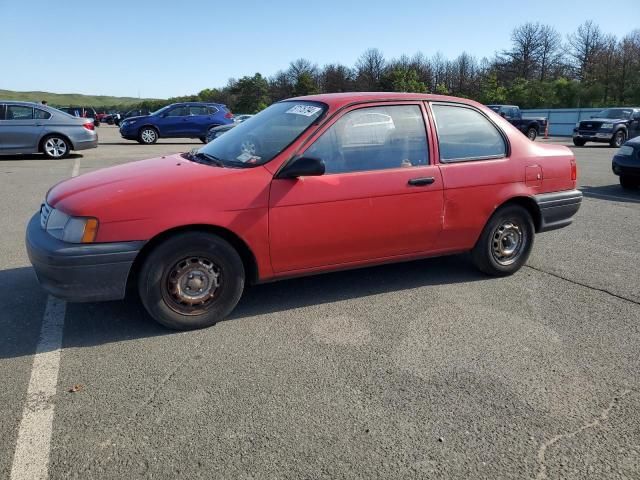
[165, 281]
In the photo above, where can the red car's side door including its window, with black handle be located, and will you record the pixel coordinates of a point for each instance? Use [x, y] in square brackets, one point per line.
[380, 196]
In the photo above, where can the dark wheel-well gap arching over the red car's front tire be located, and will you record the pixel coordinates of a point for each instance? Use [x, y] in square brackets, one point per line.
[247, 256]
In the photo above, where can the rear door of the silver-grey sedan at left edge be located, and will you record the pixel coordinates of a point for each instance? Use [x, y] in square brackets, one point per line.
[19, 131]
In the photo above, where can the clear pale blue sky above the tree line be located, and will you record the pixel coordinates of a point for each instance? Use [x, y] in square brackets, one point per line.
[167, 48]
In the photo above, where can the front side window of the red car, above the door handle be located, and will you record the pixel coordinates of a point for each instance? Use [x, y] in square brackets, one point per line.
[374, 138]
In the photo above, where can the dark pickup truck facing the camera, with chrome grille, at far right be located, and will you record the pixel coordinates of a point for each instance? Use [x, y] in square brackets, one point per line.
[612, 125]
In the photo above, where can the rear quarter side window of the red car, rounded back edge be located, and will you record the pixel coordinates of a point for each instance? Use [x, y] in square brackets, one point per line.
[465, 134]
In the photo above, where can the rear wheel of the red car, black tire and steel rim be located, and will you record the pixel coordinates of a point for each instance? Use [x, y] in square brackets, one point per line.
[505, 225]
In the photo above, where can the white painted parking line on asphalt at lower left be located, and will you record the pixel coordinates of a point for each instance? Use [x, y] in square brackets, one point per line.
[31, 458]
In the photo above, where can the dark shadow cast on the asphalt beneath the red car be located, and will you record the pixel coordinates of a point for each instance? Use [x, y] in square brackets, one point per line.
[90, 324]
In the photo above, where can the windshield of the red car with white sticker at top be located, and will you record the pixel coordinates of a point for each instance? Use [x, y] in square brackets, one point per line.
[260, 138]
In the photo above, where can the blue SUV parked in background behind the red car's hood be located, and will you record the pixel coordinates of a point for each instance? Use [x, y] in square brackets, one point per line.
[178, 120]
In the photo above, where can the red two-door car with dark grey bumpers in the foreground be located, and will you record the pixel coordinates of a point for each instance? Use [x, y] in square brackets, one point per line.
[308, 185]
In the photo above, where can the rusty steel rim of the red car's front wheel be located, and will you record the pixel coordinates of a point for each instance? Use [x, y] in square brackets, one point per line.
[192, 284]
